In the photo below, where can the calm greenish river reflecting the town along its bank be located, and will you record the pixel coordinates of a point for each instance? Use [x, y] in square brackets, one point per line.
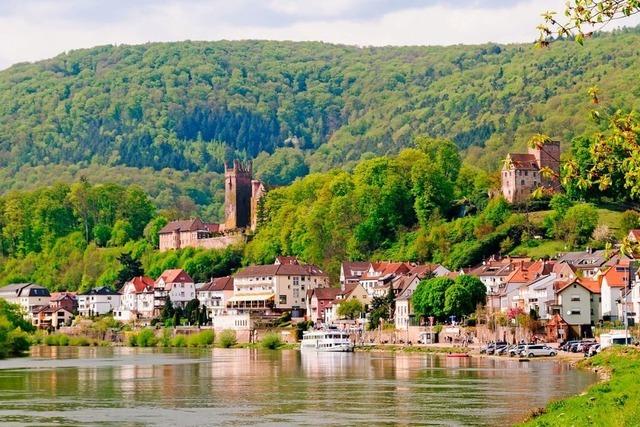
[136, 387]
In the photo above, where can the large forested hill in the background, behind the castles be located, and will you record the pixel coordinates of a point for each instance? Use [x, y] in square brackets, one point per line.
[297, 107]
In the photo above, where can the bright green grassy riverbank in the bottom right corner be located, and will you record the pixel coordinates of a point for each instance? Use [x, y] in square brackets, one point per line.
[614, 402]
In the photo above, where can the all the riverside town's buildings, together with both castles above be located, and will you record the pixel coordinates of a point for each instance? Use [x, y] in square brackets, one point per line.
[565, 297]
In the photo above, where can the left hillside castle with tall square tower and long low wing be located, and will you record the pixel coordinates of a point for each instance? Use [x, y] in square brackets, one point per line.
[242, 194]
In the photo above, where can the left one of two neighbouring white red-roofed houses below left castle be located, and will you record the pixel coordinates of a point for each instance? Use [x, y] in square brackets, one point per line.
[136, 302]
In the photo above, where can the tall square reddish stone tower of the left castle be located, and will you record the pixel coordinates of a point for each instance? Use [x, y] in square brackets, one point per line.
[237, 195]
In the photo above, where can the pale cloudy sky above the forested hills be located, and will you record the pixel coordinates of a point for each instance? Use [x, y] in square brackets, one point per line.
[36, 29]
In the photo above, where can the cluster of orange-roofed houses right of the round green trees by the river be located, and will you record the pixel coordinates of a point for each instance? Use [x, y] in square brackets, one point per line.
[571, 294]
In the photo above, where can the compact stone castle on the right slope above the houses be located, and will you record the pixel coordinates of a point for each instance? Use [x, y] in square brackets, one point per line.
[521, 173]
